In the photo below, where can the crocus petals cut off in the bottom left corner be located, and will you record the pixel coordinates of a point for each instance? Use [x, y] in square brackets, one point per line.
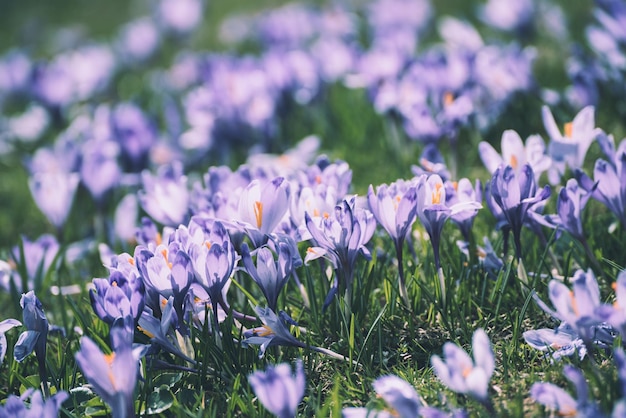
[36, 407]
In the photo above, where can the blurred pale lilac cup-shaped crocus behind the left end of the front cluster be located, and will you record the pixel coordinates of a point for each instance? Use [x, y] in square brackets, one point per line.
[165, 197]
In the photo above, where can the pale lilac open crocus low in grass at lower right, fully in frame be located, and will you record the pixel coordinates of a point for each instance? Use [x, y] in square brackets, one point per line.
[460, 373]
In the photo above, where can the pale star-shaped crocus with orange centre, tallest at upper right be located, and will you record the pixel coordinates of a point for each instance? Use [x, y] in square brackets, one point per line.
[568, 149]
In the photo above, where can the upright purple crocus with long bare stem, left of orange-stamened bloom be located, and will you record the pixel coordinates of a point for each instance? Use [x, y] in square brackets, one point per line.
[394, 207]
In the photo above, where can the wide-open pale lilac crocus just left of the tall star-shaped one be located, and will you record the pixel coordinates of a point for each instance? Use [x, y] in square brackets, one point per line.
[516, 154]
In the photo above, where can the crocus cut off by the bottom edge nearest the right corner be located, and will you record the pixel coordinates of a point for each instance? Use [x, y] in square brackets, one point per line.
[557, 399]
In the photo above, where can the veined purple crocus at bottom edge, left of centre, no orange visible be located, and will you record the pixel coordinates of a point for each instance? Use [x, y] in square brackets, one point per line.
[278, 389]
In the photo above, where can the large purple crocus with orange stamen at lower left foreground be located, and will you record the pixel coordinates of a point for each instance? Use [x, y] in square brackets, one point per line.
[113, 376]
